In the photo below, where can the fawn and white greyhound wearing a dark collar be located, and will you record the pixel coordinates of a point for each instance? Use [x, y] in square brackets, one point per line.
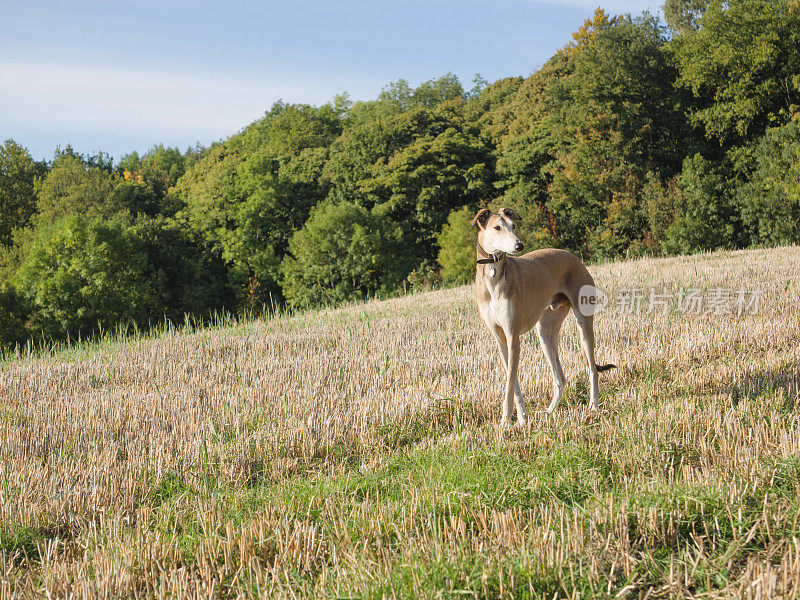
[538, 288]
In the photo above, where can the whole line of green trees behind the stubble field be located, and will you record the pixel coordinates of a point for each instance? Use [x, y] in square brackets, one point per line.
[635, 138]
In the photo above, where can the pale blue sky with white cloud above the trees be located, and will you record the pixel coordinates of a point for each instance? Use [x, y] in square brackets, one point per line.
[122, 76]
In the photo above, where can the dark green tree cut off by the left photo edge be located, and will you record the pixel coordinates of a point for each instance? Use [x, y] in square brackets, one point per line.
[17, 196]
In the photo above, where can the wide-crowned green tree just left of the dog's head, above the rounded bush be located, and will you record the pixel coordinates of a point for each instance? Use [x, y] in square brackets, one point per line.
[413, 169]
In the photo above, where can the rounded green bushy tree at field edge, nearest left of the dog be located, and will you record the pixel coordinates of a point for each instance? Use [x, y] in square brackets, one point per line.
[343, 252]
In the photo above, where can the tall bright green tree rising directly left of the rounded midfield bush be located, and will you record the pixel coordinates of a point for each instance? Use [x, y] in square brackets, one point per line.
[250, 194]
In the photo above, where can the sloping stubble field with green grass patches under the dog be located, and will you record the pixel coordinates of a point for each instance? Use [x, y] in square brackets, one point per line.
[357, 453]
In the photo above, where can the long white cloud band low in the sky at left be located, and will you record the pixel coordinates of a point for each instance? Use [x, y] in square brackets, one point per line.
[136, 101]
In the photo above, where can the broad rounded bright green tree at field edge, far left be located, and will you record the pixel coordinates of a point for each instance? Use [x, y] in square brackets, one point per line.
[82, 273]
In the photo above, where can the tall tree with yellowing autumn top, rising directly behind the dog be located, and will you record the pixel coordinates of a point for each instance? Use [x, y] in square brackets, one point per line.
[590, 125]
